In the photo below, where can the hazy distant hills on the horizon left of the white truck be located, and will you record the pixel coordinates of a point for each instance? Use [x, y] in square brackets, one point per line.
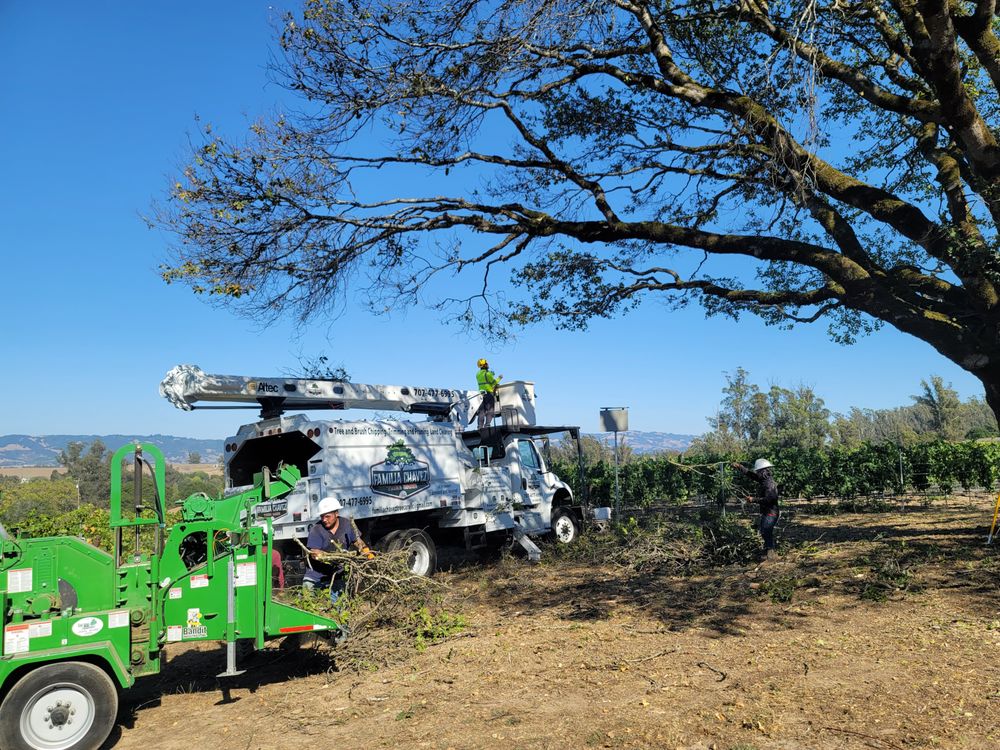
[43, 450]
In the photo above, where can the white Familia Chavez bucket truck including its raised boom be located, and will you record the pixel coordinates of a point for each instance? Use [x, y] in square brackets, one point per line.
[407, 484]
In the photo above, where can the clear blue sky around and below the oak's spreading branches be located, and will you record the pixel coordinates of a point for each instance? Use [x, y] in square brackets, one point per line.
[97, 101]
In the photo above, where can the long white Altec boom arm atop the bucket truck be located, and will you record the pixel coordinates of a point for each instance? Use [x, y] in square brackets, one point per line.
[187, 385]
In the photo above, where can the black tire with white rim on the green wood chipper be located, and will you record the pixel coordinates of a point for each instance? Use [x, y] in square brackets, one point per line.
[69, 705]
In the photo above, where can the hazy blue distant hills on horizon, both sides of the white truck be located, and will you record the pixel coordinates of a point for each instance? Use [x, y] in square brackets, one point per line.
[43, 450]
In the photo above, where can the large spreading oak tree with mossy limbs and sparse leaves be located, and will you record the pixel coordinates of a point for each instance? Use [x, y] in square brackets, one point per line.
[803, 160]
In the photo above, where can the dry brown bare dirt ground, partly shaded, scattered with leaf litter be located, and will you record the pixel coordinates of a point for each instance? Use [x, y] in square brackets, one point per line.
[871, 631]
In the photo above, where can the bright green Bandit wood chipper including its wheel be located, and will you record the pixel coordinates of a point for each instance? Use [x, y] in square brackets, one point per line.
[80, 624]
